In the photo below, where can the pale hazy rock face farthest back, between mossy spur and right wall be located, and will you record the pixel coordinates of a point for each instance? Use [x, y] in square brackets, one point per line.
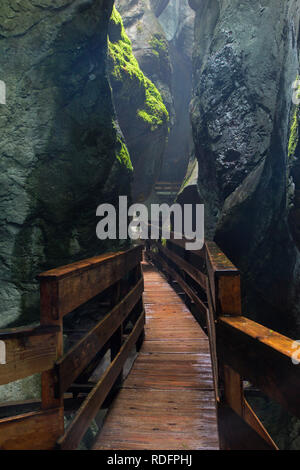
[161, 32]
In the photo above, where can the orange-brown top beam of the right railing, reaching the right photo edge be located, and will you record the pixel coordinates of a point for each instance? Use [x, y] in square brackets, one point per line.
[261, 356]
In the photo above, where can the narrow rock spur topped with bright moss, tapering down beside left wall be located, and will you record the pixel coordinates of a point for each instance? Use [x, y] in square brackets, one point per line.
[141, 112]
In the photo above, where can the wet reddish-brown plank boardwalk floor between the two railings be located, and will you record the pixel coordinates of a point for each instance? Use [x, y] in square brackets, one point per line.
[167, 401]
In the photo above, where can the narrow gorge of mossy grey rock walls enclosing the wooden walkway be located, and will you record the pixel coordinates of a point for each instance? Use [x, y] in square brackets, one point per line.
[116, 98]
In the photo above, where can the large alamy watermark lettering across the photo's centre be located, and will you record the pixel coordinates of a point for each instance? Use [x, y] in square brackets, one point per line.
[152, 224]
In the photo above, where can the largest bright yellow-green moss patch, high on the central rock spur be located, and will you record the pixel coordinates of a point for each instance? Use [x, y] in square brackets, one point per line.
[125, 70]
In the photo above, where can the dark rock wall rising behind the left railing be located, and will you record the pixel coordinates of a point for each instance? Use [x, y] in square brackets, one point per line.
[62, 153]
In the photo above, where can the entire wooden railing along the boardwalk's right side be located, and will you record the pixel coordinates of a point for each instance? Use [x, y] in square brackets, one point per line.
[241, 349]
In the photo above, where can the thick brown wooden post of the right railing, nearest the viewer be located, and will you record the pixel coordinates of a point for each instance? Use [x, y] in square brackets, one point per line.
[239, 427]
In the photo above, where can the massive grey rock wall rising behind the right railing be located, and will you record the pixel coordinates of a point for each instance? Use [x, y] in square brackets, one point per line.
[245, 60]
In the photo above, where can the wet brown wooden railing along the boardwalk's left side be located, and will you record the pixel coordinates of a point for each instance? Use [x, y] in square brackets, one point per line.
[118, 277]
